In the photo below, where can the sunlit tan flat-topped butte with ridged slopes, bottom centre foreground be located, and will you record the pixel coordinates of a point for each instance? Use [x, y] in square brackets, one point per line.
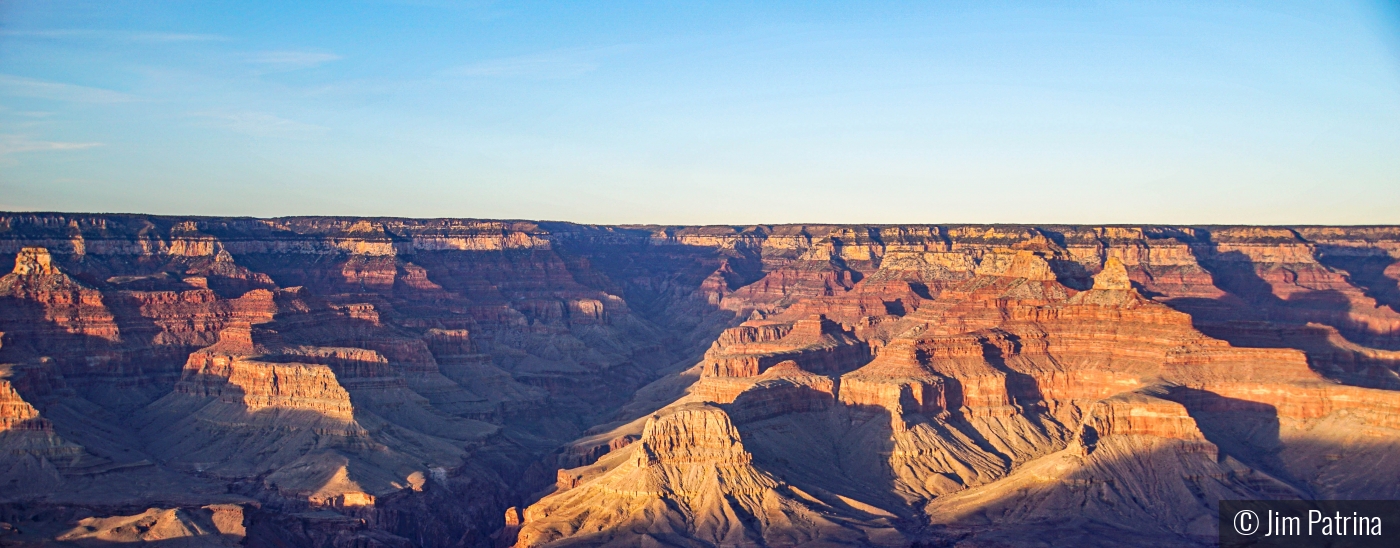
[689, 481]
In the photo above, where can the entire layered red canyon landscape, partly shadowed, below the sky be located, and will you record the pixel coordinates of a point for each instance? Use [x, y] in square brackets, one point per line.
[328, 382]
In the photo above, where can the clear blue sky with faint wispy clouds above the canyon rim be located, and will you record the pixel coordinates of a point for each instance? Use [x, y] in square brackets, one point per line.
[622, 113]
